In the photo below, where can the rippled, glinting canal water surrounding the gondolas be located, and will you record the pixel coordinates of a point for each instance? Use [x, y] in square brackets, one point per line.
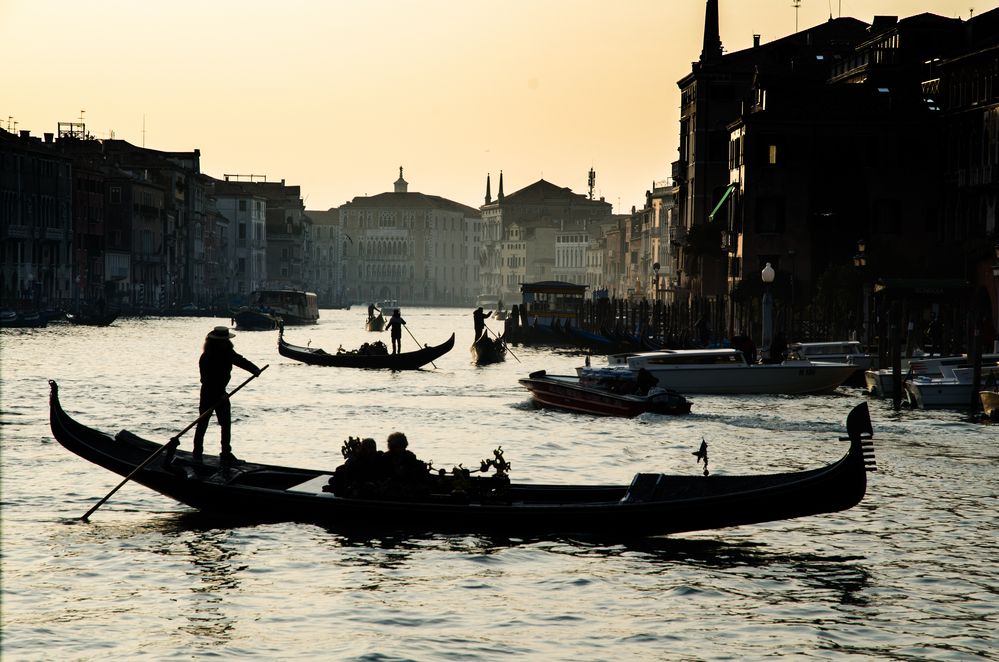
[910, 573]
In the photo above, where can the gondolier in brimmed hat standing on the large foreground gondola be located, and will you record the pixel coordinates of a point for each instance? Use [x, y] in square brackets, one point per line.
[215, 364]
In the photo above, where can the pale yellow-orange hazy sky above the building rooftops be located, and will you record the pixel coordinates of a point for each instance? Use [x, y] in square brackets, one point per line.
[336, 95]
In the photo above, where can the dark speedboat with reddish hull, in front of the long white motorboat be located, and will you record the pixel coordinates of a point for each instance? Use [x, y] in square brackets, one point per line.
[603, 395]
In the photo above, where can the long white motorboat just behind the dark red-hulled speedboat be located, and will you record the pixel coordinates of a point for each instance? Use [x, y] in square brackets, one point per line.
[726, 371]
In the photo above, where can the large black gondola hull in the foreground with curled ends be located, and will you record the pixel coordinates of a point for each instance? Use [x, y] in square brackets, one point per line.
[653, 504]
